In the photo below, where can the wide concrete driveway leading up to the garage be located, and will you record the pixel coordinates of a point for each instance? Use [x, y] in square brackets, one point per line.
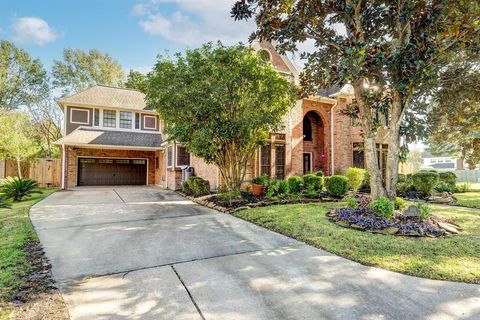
[147, 253]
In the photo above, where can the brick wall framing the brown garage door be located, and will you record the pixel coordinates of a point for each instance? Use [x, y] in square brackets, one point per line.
[74, 153]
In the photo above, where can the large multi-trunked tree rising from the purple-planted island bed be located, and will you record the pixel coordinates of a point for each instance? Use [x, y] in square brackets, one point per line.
[387, 50]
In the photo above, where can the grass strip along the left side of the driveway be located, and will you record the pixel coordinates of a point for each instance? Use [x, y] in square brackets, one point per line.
[16, 231]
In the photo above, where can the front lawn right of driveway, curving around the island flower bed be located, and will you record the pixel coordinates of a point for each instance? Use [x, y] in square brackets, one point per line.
[455, 258]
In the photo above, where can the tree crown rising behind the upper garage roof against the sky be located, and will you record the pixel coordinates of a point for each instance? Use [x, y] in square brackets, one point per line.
[79, 70]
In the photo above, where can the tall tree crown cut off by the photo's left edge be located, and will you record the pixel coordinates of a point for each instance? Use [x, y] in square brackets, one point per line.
[23, 80]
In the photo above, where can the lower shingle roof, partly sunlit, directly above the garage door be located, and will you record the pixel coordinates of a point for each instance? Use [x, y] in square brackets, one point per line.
[92, 136]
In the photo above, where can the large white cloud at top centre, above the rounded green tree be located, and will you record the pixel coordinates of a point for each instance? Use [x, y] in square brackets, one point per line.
[192, 22]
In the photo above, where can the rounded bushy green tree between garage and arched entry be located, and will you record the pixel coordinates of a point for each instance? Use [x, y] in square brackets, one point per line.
[221, 103]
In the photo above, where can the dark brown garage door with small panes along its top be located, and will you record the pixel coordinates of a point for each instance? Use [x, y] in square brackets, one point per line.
[109, 172]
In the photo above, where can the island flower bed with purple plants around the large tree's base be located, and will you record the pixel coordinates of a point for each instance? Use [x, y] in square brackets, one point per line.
[380, 218]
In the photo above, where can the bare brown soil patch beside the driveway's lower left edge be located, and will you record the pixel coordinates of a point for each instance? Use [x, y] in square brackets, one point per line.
[39, 298]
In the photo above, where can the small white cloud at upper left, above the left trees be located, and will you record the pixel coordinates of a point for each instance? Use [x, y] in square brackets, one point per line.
[33, 30]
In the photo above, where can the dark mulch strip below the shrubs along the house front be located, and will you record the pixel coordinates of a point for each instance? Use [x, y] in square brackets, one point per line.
[247, 201]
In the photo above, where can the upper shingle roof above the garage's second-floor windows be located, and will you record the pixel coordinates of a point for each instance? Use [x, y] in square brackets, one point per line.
[107, 97]
